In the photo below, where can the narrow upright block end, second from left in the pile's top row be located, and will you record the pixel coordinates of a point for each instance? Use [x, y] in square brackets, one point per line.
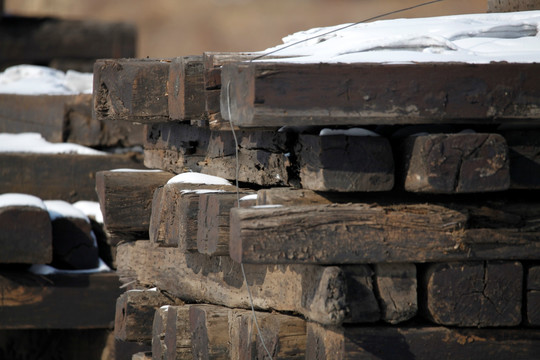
[185, 88]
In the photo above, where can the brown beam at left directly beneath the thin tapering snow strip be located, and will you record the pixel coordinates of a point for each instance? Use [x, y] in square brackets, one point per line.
[61, 176]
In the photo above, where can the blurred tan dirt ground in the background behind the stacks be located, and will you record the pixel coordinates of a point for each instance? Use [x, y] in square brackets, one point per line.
[169, 28]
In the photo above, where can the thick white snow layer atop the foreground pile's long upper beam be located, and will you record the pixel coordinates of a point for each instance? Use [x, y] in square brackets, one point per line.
[473, 38]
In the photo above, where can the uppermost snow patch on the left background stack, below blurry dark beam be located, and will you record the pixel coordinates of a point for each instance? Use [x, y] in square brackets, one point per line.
[40, 80]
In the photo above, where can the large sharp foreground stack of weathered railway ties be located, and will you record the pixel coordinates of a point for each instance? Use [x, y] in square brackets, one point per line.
[413, 237]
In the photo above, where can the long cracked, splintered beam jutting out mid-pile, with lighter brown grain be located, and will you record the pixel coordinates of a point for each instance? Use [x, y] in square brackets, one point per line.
[363, 233]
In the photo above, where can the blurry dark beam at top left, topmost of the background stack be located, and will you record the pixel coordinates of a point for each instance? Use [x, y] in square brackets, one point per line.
[87, 41]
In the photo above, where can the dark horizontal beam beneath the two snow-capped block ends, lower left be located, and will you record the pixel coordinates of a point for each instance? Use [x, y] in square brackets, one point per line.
[57, 301]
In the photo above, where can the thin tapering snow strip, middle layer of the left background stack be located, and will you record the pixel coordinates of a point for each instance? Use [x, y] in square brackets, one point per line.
[35, 143]
